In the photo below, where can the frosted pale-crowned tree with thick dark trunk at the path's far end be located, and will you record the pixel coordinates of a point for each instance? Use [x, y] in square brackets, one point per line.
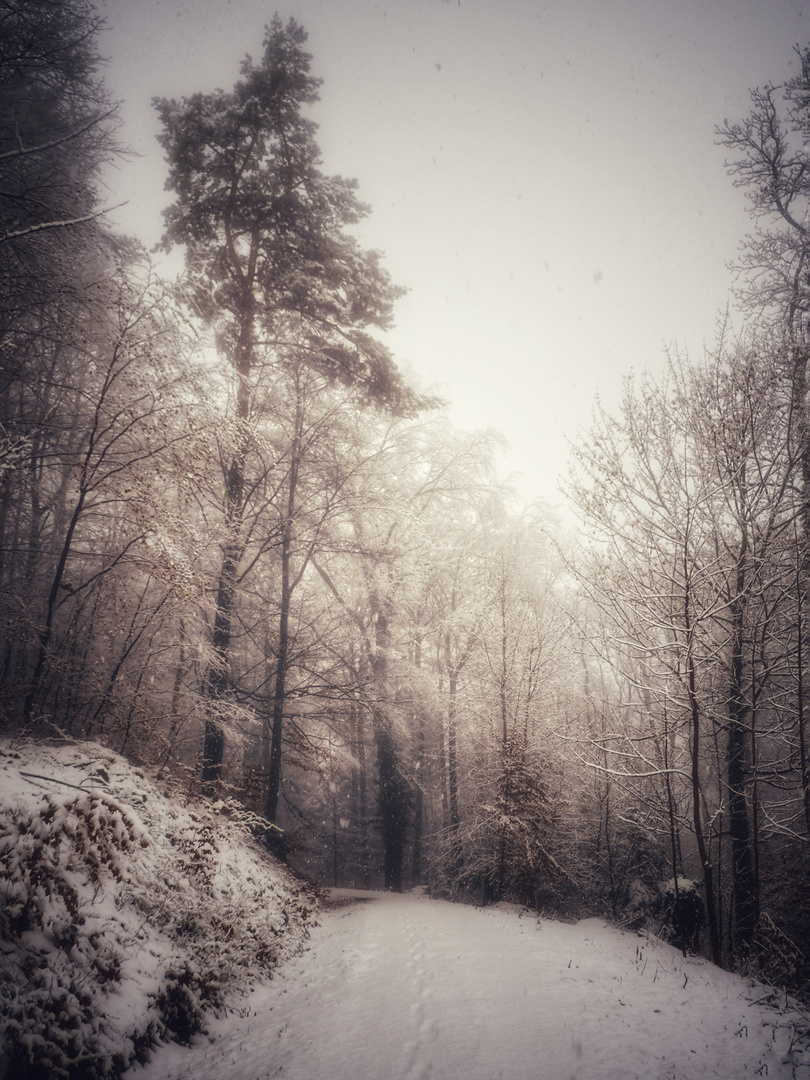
[387, 571]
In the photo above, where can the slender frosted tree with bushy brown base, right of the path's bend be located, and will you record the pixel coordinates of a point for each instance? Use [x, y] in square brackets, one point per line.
[509, 809]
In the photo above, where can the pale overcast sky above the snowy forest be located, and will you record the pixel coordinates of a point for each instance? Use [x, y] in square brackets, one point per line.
[544, 177]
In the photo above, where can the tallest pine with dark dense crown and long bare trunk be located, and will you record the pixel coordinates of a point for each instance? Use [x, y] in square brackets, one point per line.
[268, 261]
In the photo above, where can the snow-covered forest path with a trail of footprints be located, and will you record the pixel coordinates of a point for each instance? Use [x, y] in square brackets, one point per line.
[409, 989]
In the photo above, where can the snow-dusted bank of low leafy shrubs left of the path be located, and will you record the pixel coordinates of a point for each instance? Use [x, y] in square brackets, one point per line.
[125, 916]
